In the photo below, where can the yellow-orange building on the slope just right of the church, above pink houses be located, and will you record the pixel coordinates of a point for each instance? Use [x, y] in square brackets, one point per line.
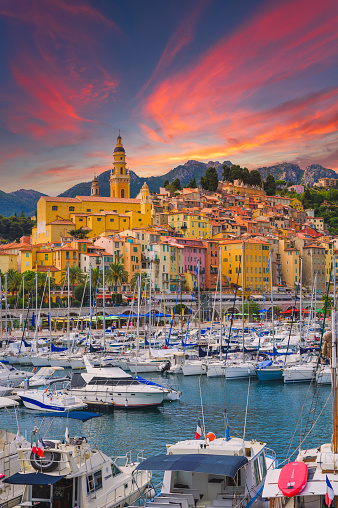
[191, 225]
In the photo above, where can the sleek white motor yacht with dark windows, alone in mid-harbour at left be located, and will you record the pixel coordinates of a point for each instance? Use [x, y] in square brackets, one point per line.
[111, 386]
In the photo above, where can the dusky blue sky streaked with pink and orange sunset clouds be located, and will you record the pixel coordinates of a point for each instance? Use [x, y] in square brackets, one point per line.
[253, 82]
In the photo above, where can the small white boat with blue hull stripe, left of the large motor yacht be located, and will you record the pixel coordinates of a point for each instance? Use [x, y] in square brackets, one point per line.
[48, 400]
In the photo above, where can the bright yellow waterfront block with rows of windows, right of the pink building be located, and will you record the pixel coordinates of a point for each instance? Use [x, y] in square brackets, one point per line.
[256, 263]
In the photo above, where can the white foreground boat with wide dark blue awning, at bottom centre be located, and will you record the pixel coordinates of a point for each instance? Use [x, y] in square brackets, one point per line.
[211, 472]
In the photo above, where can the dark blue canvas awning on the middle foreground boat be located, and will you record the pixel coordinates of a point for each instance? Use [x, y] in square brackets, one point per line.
[225, 465]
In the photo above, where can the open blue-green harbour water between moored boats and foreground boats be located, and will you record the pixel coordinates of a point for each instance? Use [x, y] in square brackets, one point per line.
[277, 414]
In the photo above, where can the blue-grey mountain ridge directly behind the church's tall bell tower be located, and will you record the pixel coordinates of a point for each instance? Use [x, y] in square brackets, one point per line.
[184, 172]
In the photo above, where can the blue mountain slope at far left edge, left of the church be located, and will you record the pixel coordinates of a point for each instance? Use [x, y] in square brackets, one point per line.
[19, 201]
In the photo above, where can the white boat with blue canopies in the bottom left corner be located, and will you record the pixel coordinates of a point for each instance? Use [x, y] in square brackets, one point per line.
[73, 473]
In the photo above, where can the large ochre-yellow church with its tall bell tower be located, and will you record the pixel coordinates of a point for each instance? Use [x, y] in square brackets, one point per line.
[97, 215]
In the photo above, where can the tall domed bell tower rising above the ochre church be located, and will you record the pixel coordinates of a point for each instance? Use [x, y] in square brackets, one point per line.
[119, 176]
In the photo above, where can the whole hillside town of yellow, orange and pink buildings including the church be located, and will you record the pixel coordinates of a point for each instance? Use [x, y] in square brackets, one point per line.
[166, 236]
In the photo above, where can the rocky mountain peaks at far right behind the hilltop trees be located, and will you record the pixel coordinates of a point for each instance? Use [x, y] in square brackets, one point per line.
[292, 173]
